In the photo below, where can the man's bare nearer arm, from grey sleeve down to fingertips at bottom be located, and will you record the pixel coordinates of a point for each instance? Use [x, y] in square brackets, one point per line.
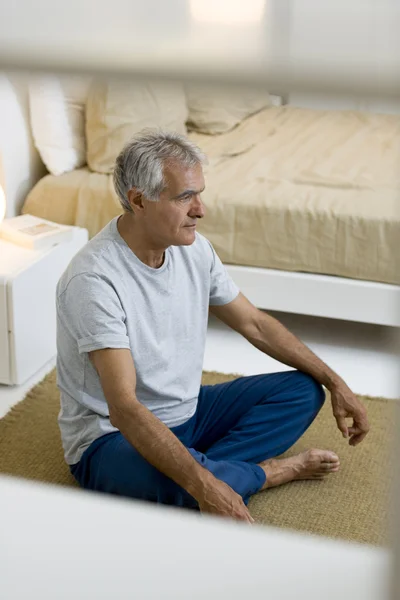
[155, 441]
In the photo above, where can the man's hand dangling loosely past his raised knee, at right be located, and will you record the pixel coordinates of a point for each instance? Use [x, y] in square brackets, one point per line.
[345, 404]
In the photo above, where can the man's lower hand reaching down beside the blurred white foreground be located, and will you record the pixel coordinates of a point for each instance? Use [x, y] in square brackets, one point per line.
[218, 498]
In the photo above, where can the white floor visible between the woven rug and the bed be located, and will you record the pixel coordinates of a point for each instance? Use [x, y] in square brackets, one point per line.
[366, 356]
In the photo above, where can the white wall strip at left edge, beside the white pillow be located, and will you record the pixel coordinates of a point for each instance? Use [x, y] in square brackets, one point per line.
[21, 162]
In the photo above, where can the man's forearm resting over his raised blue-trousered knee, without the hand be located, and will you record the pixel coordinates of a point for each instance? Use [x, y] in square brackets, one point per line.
[272, 338]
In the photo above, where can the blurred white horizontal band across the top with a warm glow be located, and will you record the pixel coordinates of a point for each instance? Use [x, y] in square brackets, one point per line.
[303, 45]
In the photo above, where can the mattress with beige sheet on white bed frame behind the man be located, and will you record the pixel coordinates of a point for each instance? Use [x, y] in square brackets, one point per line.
[289, 188]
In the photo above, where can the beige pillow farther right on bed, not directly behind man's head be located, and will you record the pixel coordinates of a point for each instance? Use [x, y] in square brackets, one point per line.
[215, 109]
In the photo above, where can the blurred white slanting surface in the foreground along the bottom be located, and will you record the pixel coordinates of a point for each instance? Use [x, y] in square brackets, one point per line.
[67, 544]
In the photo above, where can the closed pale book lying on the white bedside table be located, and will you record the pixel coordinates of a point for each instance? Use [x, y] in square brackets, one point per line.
[33, 232]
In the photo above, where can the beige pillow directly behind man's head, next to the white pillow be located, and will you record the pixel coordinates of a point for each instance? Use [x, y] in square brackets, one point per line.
[117, 110]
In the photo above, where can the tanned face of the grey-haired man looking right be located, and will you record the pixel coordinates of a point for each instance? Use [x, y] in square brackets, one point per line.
[172, 220]
